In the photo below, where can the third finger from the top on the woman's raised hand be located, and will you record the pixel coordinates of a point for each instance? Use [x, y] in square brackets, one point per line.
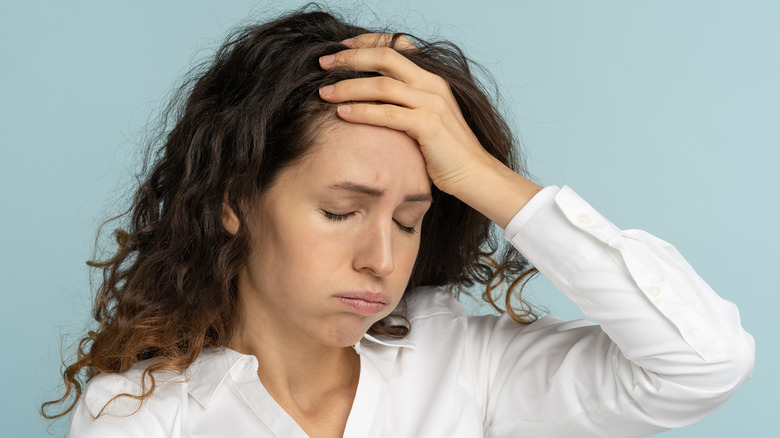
[380, 88]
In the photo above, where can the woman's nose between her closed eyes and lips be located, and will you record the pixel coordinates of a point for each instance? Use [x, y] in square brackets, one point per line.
[375, 251]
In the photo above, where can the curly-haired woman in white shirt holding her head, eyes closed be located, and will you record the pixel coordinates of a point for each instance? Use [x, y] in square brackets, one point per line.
[290, 258]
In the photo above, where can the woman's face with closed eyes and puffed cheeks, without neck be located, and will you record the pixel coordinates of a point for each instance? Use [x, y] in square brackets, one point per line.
[336, 236]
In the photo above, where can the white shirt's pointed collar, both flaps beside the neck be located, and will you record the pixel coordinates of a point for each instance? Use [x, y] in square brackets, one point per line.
[213, 365]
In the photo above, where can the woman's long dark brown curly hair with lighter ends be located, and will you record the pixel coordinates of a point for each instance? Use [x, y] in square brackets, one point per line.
[169, 288]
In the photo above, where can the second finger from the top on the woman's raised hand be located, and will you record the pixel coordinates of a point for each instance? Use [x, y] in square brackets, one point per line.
[382, 60]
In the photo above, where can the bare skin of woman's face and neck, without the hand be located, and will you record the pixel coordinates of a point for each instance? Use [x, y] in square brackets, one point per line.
[346, 218]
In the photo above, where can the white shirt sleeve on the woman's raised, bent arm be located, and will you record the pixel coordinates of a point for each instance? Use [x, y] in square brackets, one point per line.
[666, 352]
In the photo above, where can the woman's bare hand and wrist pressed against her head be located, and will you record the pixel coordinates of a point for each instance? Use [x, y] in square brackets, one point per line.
[420, 104]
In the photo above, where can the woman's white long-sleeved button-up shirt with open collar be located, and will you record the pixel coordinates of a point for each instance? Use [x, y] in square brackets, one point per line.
[667, 351]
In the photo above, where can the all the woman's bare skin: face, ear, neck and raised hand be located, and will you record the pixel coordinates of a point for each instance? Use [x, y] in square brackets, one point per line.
[302, 258]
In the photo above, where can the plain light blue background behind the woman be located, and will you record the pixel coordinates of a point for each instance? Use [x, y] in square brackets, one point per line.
[664, 115]
